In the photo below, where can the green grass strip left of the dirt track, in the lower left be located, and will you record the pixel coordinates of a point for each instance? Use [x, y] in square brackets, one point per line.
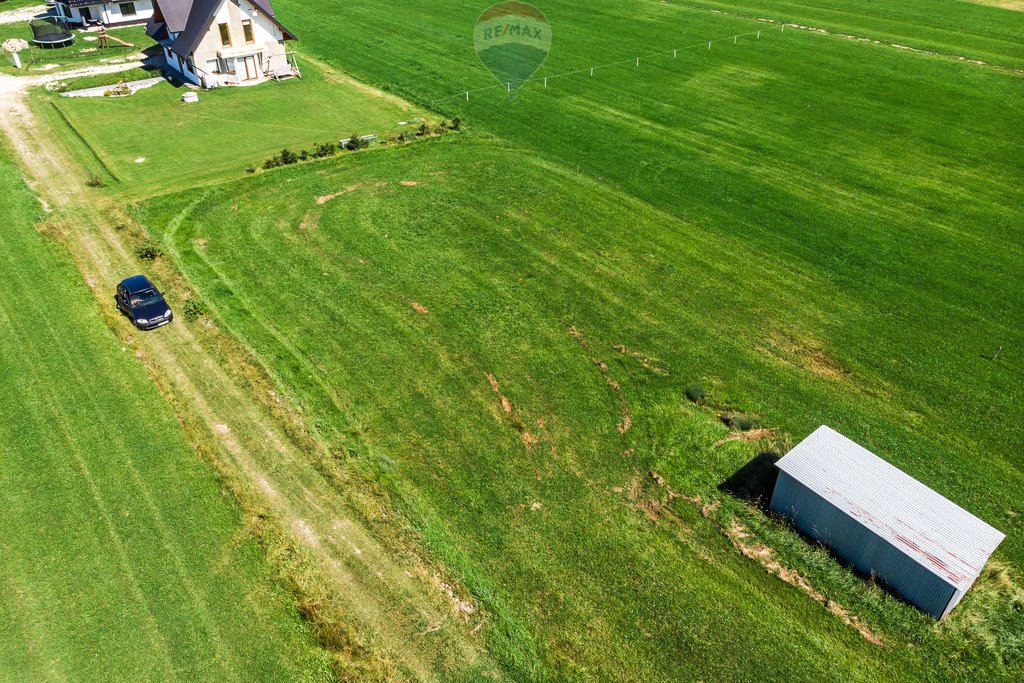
[121, 558]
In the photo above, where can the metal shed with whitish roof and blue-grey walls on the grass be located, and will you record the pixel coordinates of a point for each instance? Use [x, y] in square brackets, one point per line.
[883, 522]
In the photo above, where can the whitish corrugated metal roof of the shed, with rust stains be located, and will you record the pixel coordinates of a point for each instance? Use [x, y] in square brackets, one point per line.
[935, 532]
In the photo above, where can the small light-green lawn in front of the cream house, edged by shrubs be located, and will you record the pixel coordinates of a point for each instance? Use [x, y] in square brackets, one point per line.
[228, 132]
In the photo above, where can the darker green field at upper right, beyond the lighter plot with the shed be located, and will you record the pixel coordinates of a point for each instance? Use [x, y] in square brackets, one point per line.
[893, 177]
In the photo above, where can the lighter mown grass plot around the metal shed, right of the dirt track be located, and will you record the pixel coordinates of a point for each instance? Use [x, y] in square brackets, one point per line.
[408, 312]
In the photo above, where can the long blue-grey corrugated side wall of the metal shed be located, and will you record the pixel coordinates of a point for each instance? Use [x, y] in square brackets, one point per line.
[866, 551]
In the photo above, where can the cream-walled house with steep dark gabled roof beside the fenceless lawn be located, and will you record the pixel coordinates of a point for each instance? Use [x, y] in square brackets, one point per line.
[223, 42]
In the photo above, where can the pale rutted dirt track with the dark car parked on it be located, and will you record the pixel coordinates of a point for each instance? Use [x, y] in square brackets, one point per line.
[289, 487]
